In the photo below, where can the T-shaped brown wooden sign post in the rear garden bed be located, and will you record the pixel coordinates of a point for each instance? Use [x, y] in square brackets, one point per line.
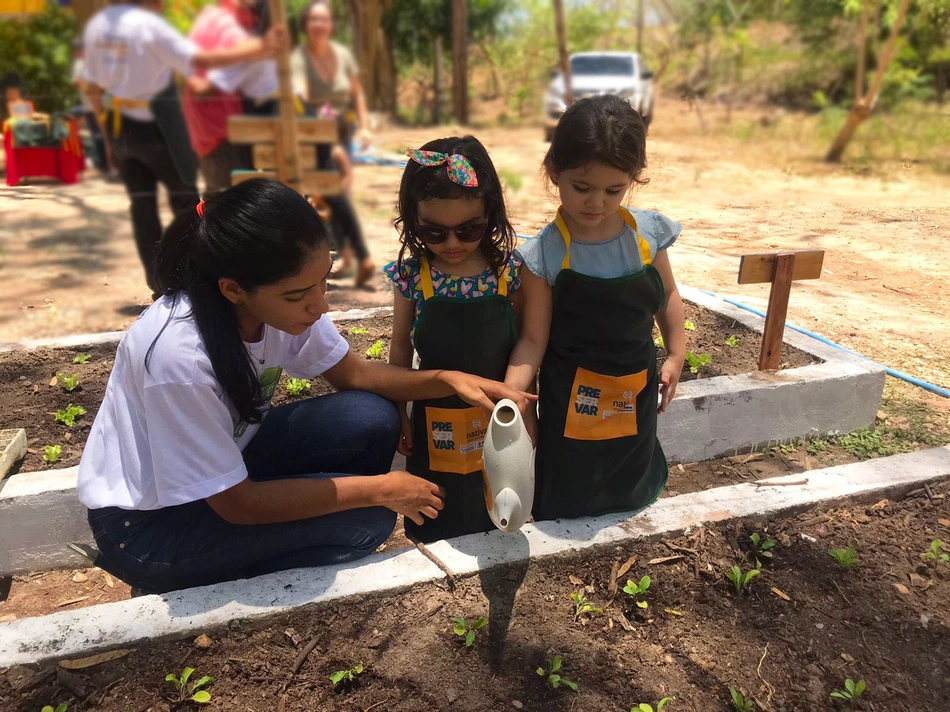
[781, 269]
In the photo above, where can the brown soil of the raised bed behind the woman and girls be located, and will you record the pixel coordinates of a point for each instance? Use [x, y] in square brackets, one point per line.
[31, 398]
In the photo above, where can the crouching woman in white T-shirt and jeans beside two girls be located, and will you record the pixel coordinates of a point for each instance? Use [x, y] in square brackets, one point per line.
[188, 478]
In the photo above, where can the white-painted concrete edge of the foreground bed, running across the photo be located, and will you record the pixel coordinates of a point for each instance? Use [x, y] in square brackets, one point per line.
[151, 618]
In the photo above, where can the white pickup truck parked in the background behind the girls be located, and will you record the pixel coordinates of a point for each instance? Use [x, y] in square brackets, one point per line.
[593, 73]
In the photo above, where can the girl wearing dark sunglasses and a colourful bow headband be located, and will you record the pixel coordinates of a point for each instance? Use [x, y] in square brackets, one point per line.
[455, 296]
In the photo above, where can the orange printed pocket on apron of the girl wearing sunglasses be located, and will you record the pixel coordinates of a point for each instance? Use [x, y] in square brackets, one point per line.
[456, 437]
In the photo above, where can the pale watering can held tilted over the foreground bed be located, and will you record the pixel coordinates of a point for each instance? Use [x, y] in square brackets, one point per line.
[508, 458]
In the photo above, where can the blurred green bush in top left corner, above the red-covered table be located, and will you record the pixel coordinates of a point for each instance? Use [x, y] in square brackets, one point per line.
[40, 51]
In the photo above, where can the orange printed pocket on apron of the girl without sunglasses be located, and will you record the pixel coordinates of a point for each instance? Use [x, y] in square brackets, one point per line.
[603, 407]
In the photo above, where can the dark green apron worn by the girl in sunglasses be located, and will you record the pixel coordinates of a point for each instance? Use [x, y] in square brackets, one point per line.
[474, 336]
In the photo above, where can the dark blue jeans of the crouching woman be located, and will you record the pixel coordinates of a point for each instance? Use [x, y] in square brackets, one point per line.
[350, 433]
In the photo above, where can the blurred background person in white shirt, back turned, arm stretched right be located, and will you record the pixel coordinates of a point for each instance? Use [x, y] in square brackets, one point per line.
[132, 53]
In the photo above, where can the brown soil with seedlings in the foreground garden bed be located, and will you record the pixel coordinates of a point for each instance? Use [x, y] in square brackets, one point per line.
[802, 627]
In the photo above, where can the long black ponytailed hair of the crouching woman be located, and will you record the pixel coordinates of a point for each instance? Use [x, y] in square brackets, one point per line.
[256, 233]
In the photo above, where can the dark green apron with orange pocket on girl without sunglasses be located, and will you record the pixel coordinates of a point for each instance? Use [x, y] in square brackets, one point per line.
[597, 448]
